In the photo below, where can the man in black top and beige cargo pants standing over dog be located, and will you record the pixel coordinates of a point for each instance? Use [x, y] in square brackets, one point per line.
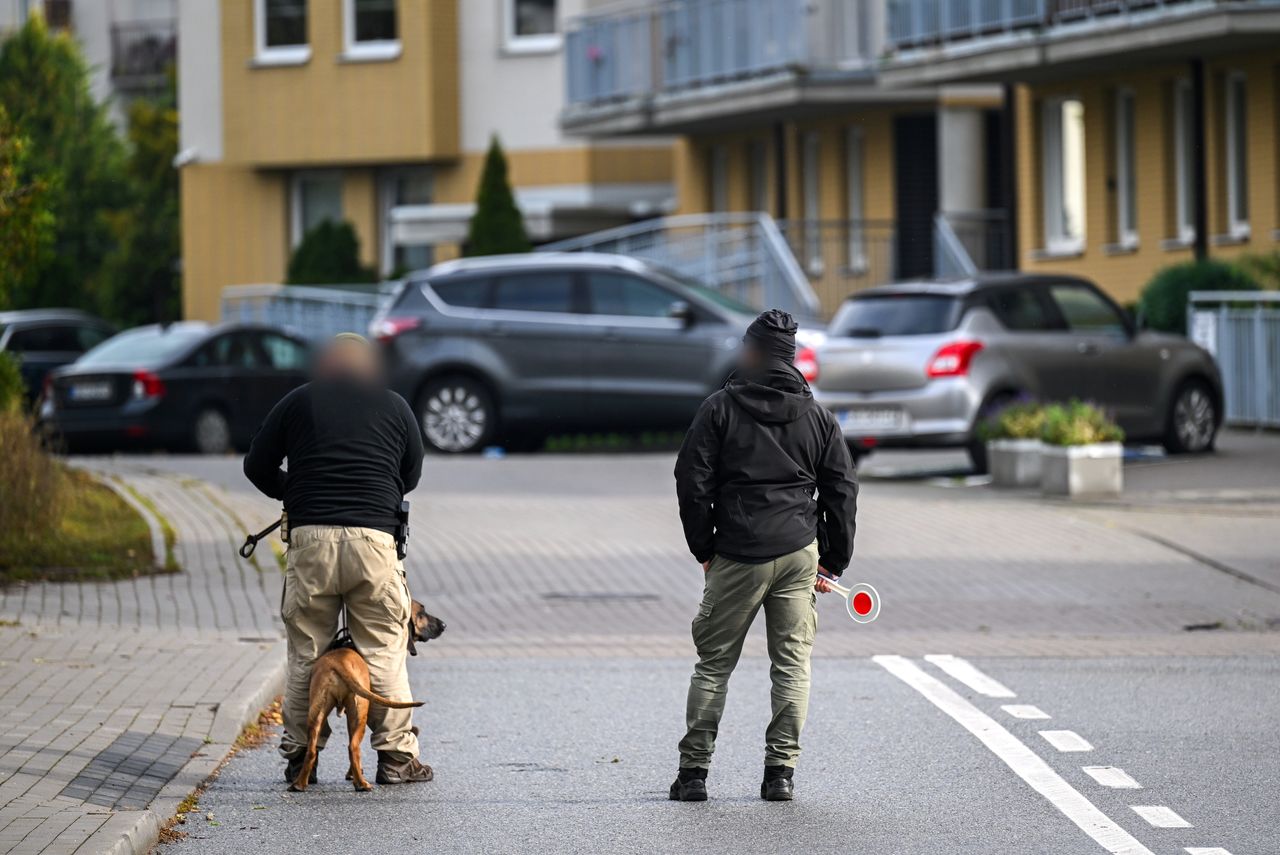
[354, 451]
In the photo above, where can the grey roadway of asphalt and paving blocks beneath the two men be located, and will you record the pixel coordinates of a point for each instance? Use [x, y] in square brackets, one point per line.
[552, 721]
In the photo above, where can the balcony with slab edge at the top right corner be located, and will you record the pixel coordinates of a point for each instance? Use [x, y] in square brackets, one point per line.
[948, 42]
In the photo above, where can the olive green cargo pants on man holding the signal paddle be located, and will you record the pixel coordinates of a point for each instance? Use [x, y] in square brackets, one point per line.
[733, 596]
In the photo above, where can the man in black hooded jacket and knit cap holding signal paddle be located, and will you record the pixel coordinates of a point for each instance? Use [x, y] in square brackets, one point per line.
[747, 479]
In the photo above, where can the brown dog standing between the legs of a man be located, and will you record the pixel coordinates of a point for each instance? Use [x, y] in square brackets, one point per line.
[340, 679]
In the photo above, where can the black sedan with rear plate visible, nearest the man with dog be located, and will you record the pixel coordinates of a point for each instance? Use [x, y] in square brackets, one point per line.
[179, 386]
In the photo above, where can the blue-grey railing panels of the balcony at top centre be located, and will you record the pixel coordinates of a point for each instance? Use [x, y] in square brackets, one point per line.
[685, 45]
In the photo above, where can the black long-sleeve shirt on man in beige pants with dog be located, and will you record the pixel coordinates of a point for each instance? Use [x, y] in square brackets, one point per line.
[354, 452]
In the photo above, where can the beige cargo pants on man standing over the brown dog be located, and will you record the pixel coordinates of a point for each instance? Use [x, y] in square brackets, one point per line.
[330, 566]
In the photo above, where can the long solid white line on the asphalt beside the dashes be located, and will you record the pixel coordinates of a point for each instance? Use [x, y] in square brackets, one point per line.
[1025, 762]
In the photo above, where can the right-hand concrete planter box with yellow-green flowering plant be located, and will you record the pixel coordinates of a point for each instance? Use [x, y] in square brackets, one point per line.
[1082, 452]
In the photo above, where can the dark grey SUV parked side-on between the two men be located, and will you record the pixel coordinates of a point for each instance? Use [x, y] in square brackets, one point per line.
[513, 349]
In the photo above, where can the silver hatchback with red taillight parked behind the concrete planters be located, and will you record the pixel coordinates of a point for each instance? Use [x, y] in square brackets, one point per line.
[921, 364]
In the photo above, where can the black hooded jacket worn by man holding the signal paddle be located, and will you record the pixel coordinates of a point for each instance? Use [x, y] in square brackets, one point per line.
[748, 470]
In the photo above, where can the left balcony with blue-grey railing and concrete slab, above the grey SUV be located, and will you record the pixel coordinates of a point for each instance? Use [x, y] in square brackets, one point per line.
[680, 66]
